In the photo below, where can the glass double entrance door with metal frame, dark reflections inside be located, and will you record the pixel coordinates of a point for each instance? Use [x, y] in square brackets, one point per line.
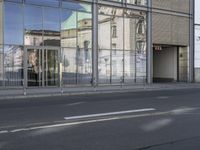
[42, 67]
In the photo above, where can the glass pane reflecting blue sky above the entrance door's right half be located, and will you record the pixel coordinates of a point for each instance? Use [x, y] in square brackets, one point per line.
[51, 27]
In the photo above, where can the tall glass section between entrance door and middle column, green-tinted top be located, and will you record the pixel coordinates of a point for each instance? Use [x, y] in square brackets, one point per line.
[76, 43]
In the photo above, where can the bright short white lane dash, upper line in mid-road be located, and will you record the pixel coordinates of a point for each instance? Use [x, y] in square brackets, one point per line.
[110, 113]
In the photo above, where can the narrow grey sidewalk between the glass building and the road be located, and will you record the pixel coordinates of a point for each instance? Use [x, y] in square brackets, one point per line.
[56, 91]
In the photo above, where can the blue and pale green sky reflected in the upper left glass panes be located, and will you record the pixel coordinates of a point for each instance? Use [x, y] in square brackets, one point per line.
[40, 18]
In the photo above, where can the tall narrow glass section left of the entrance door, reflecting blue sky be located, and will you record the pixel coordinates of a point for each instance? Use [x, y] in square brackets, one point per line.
[13, 41]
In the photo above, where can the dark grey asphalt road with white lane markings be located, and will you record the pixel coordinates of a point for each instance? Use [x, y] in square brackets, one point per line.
[149, 120]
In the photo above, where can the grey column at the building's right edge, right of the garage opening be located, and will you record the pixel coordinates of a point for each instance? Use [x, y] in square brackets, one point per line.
[191, 44]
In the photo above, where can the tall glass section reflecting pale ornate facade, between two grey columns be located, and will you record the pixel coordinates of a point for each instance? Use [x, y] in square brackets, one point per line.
[122, 45]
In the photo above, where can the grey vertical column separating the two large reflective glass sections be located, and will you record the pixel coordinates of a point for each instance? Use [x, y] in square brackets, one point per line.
[95, 43]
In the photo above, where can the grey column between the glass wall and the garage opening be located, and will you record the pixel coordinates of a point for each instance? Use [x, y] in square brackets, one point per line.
[149, 44]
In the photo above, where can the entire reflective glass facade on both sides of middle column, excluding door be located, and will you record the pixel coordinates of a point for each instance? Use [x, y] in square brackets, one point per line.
[68, 25]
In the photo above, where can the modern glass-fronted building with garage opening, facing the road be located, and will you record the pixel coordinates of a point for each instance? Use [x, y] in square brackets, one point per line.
[93, 42]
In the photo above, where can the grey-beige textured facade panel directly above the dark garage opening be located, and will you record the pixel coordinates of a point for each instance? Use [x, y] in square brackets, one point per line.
[170, 30]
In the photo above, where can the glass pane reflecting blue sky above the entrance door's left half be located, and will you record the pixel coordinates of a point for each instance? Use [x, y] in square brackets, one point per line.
[33, 25]
